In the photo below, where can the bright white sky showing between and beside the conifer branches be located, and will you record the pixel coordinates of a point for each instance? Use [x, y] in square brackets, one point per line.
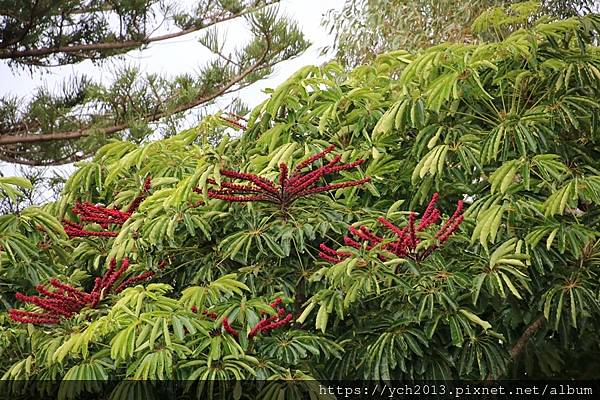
[185, 54]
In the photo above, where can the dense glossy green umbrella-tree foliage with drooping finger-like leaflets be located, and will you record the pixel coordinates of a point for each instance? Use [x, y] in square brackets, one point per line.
[500, 281]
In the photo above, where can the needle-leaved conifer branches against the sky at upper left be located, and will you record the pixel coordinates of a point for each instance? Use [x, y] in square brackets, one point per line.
[56, 128]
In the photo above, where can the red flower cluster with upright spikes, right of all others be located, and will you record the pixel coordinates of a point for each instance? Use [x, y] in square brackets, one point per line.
[405, 245]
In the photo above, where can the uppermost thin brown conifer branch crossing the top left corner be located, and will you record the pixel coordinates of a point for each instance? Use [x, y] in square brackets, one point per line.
[127, 44]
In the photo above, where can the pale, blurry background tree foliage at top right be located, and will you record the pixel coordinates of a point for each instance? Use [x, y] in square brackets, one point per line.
[366, 28]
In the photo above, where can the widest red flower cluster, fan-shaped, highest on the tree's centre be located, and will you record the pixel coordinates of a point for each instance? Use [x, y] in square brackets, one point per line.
[289, 187]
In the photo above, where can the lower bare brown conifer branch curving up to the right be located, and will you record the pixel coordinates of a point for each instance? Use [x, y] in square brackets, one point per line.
[46, 137]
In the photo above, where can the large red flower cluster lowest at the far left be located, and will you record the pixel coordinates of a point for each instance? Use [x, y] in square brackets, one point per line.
[66, 301]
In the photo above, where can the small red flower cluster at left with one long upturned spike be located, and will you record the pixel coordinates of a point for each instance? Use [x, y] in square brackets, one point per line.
[102, 216]
